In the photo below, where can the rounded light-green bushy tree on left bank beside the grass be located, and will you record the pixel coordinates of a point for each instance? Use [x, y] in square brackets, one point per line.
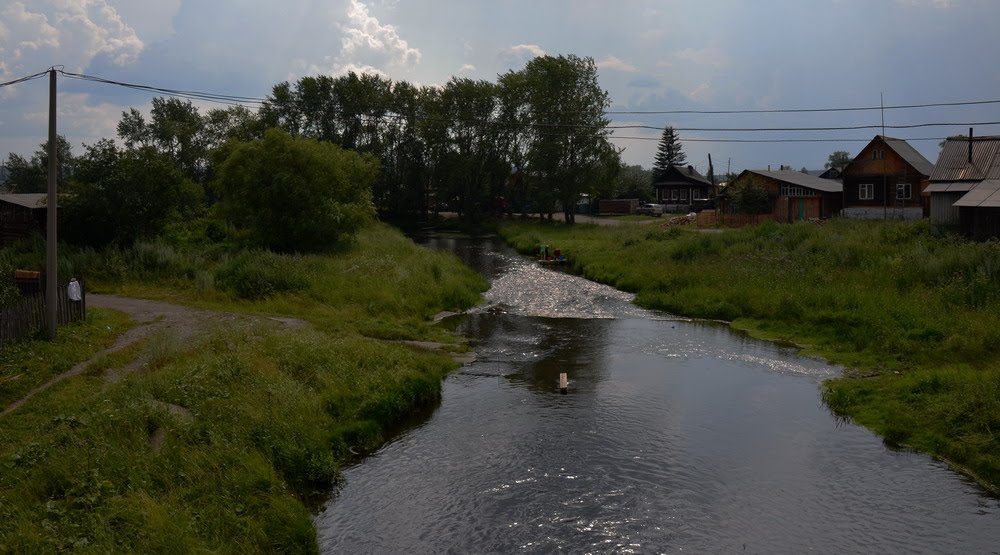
[294, 194]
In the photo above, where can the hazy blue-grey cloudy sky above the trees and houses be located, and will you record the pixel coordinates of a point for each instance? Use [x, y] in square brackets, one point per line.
[652, 55]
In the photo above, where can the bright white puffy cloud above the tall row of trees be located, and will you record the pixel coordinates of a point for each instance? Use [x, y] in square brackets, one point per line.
[366, 37]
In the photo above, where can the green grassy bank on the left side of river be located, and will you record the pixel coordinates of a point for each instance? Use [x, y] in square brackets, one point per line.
[222, 443]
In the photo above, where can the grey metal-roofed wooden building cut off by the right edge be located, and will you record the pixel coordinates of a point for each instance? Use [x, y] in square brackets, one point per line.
[963, 187]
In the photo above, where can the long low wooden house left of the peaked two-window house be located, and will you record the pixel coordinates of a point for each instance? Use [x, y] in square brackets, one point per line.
[793, 195]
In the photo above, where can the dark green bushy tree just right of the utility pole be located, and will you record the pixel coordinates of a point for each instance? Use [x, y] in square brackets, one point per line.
[123, 196]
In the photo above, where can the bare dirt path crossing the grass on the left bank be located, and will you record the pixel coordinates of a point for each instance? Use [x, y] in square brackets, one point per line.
[150, 317]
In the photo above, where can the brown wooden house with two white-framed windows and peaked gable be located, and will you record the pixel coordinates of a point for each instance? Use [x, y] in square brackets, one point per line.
[887, 180]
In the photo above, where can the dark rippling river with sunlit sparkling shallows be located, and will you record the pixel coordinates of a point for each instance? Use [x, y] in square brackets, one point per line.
[674, 436]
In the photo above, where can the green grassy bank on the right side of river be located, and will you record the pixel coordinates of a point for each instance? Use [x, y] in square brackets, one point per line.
[916, 318]
